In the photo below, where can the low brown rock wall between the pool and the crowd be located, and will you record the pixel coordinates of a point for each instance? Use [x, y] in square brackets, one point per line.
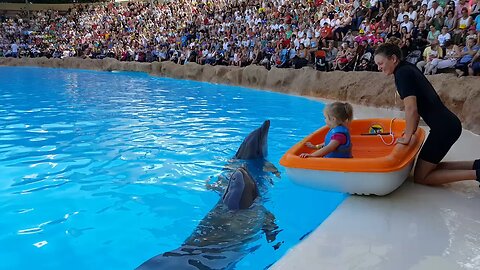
[461, 95]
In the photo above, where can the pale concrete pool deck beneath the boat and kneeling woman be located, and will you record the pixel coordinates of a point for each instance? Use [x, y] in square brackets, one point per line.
[415, 227]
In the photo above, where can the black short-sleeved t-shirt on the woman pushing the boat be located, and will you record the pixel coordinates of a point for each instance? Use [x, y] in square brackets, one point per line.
[411, 82]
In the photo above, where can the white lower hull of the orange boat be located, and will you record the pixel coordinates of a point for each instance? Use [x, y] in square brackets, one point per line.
[361, 183]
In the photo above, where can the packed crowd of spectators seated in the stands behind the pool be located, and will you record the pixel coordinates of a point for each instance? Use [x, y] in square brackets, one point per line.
[328, 35]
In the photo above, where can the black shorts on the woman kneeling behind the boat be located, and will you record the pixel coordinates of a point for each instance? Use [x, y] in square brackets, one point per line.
[440, 140]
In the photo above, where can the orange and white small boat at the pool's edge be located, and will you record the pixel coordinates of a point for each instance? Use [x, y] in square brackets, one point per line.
[379, 166]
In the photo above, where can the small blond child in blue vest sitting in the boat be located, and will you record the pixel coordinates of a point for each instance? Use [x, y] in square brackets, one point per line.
[337, 141]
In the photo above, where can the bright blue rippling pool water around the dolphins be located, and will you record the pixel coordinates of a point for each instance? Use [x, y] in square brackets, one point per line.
[102, 170]
